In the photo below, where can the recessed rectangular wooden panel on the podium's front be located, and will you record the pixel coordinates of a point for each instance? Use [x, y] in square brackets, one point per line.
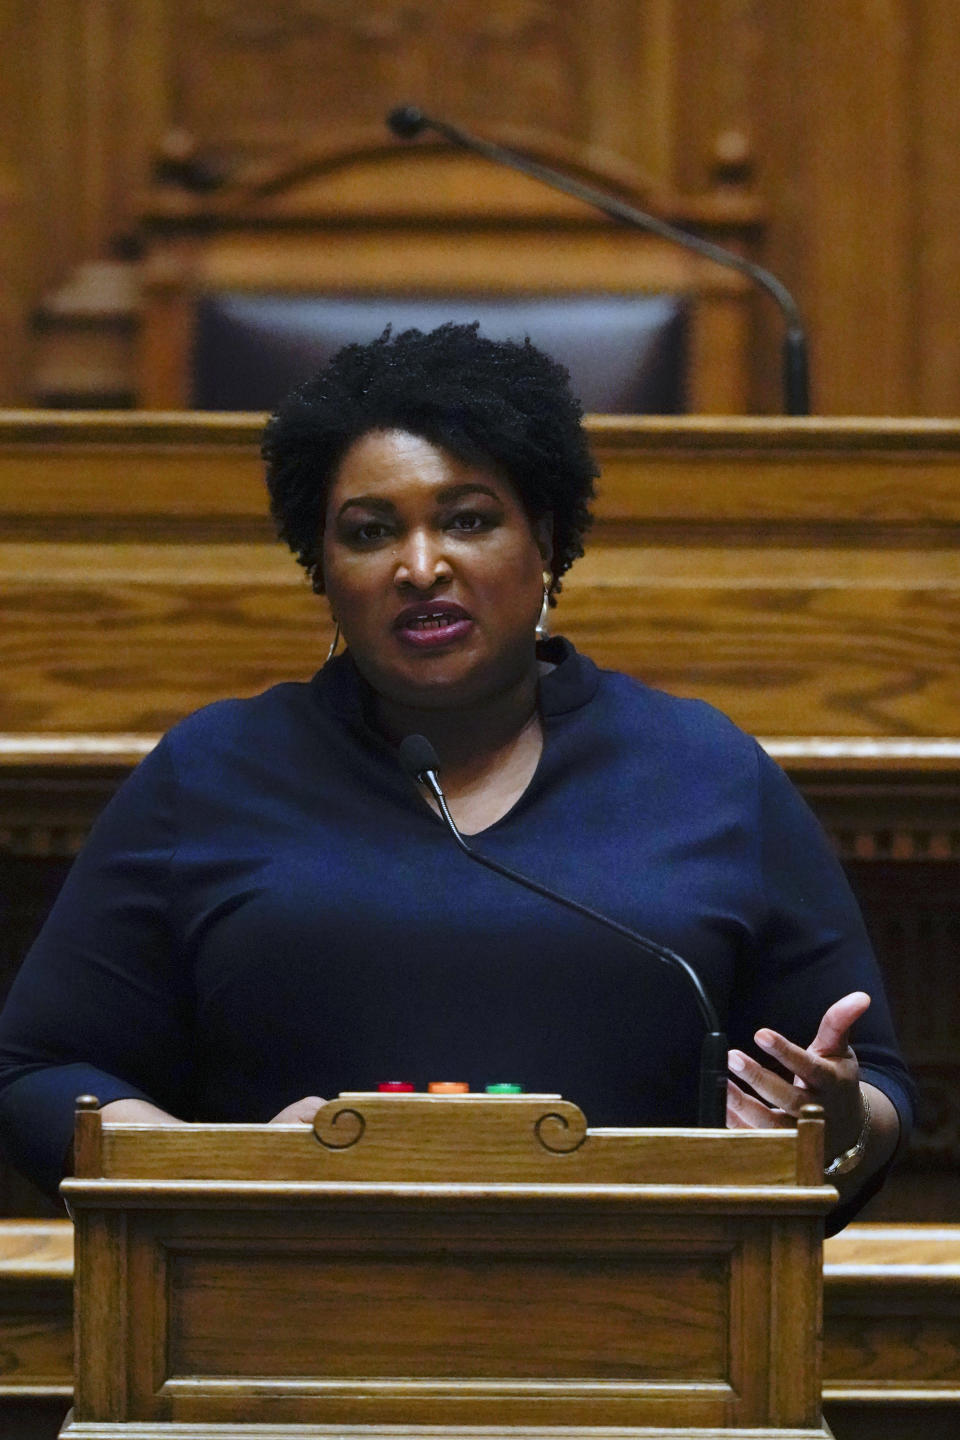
[368, 1320]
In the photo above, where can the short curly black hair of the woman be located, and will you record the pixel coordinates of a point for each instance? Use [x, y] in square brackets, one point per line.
[477, 398]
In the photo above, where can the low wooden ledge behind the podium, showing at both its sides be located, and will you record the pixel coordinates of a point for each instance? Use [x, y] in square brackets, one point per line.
[893, 1288]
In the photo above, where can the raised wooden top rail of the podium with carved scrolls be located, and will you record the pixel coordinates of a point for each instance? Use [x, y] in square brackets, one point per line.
[467, 1141]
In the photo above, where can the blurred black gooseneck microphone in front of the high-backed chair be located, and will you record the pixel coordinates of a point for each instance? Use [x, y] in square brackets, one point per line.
[408, 122]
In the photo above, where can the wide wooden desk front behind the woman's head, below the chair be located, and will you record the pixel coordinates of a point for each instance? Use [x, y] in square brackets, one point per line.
[802, 577]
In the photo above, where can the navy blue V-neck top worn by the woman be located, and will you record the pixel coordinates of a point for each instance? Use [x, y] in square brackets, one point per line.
[268, 909]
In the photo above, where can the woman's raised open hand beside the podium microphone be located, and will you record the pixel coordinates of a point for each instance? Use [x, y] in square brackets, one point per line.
[825, 1074]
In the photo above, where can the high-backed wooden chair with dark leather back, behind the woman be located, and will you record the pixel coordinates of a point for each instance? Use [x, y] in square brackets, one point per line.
[248, 290]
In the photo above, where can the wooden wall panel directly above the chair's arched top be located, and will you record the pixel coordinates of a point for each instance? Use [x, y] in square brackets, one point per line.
[592, 73]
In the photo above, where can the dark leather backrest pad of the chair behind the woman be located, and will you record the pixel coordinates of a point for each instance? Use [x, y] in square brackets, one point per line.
[625, 354]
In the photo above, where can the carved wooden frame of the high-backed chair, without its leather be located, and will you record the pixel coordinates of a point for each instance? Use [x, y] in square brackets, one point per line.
[362, 214]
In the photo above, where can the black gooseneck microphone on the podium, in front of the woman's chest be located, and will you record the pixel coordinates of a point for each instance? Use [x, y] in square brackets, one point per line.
[421, 762]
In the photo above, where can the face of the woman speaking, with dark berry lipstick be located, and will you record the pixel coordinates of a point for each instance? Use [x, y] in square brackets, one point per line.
[434, 571]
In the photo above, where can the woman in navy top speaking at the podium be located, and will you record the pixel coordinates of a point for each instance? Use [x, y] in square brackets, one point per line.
[268, 911]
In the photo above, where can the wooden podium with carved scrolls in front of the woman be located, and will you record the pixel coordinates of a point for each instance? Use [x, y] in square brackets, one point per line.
[447, 1266]
